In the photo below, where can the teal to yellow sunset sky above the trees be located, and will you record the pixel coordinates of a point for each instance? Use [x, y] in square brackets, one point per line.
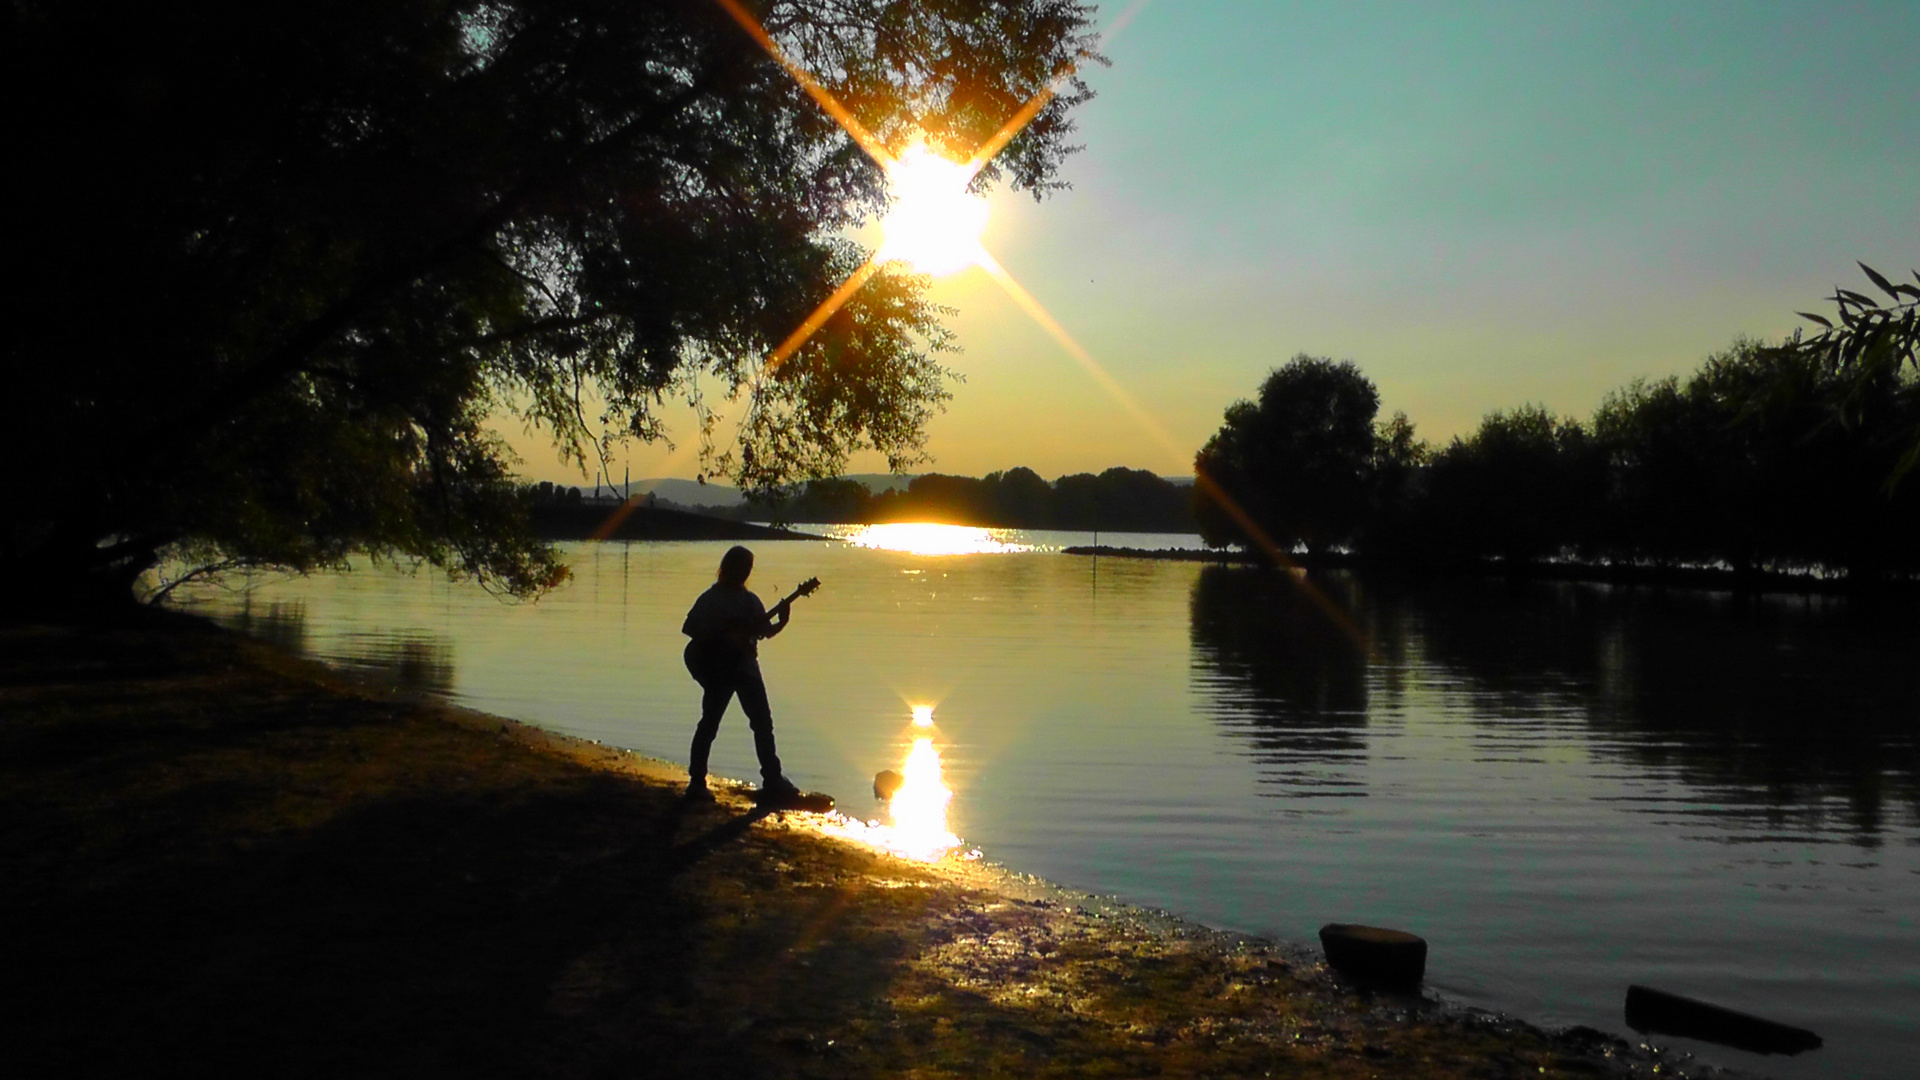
[1479, 205]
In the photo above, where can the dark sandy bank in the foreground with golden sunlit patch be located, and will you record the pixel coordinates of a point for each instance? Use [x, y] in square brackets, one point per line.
[228, 862]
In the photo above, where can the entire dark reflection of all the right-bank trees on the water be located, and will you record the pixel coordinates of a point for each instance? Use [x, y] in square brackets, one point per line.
[1783, 712]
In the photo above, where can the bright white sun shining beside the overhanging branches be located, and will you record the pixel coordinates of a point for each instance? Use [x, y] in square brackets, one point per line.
[934, 224]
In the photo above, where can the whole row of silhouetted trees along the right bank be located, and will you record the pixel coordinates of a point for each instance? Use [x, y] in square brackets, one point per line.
[1769, 456]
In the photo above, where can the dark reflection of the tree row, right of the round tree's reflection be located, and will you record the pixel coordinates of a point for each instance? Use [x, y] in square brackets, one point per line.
[1777, 706]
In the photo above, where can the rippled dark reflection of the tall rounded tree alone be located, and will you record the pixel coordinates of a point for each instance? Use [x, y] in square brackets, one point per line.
[1274, 670]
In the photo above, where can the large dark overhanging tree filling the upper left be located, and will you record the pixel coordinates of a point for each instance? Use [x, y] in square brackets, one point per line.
[287, 260]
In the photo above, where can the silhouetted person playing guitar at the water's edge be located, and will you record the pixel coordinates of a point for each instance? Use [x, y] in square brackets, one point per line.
[727, 627]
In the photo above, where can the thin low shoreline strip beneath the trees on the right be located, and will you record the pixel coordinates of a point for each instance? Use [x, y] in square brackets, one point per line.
[1631, 576]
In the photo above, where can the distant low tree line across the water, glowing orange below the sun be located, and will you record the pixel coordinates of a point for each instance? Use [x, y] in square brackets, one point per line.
[1124, 501]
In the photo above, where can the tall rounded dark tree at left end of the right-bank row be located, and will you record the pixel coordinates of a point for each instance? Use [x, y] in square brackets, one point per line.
[1299, 460]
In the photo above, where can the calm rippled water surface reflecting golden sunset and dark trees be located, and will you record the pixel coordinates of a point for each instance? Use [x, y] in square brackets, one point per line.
[1564, 787]
